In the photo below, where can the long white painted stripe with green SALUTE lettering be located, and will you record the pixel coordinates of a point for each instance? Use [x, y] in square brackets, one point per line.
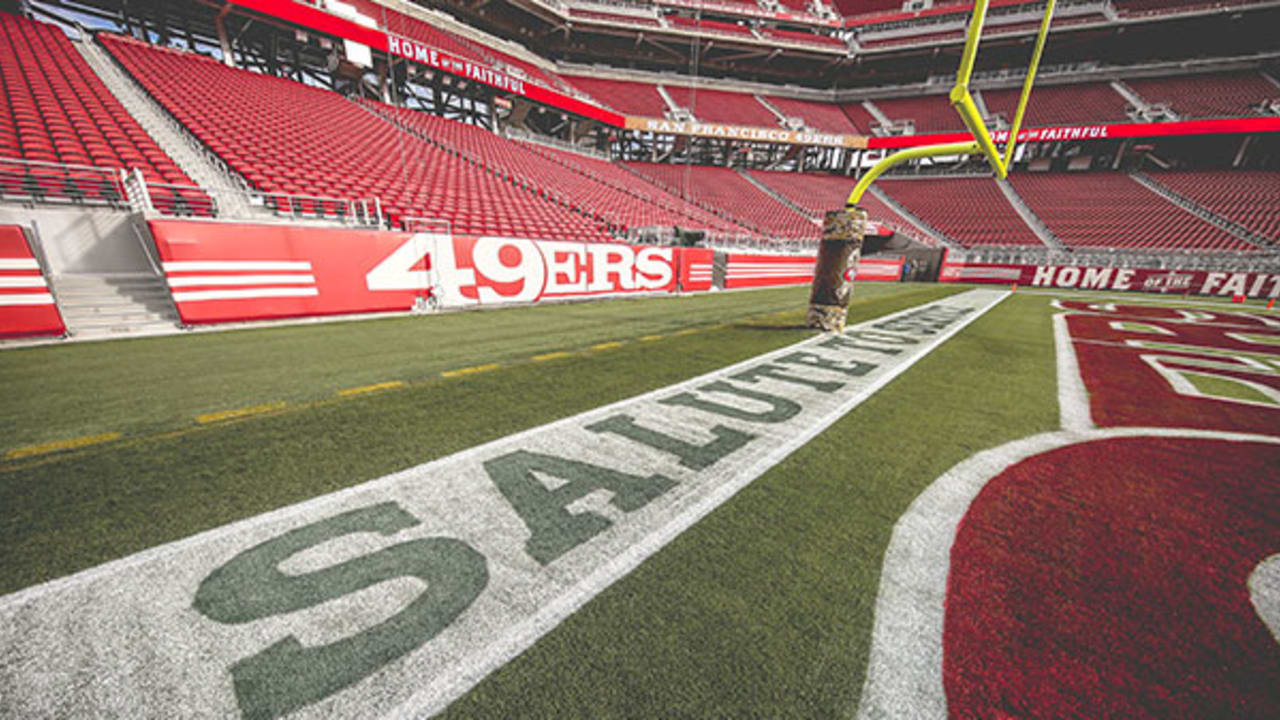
[394, 598]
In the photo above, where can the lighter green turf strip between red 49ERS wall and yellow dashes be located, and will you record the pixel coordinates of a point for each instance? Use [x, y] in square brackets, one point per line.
[149, 385]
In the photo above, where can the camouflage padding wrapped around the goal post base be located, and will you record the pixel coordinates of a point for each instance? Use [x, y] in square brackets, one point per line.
[833, 279]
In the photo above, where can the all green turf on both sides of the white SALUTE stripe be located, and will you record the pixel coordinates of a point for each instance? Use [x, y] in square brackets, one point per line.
[764, 609]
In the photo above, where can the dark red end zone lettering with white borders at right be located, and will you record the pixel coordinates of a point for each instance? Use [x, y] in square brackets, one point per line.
[1127, 571]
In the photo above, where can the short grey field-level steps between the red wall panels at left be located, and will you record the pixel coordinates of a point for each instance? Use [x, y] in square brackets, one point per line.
[115, 306]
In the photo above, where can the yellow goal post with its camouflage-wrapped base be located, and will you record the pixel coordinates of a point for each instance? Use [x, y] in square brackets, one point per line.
[844, 230]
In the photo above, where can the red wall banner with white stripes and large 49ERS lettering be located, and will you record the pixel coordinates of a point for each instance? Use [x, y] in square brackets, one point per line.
[221, 272]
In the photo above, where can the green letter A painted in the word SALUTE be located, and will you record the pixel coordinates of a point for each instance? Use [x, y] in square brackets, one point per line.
[554, 530]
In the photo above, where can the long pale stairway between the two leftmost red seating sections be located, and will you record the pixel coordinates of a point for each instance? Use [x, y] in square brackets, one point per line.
[181, 145]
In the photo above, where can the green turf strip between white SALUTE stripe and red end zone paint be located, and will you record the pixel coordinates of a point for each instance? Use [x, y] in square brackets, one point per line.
[765, 608]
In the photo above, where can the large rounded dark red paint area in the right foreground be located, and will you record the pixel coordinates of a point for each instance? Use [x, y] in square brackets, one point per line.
[1109, 580]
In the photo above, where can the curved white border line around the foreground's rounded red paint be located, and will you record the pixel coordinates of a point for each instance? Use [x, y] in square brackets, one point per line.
[904, 671]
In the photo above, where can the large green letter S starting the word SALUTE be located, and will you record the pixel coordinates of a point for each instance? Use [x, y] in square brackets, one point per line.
[287, 676]
